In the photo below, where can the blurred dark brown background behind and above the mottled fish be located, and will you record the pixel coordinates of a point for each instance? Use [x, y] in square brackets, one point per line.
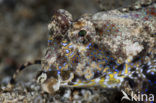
[23, 27]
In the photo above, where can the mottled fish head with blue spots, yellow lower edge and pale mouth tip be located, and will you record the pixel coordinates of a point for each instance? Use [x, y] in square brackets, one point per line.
[77, 56]
